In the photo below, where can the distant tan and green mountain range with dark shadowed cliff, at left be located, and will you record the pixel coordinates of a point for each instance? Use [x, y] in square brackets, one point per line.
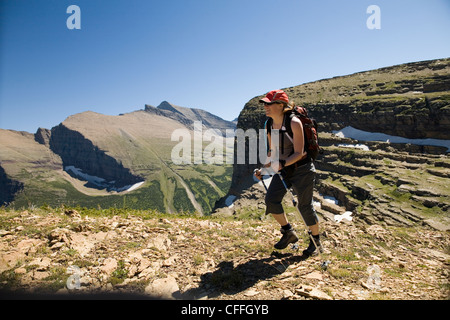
[103, 155]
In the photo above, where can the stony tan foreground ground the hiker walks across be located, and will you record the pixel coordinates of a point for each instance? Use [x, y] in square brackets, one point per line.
[69, 252]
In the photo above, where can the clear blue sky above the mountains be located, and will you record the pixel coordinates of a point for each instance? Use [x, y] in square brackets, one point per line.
[209, 54]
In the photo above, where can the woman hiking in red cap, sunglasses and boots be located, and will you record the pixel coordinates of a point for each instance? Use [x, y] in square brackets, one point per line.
[297, 168]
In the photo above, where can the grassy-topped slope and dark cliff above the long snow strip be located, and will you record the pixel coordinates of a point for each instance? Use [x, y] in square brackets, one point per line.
[410, 100]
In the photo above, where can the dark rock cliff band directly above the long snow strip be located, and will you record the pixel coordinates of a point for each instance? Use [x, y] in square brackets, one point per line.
[410, 117]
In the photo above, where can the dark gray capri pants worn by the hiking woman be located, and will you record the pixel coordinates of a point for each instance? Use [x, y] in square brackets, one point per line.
[301, 179]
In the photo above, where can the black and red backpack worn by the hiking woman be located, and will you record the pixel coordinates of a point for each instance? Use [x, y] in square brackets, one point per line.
[312, 147]
